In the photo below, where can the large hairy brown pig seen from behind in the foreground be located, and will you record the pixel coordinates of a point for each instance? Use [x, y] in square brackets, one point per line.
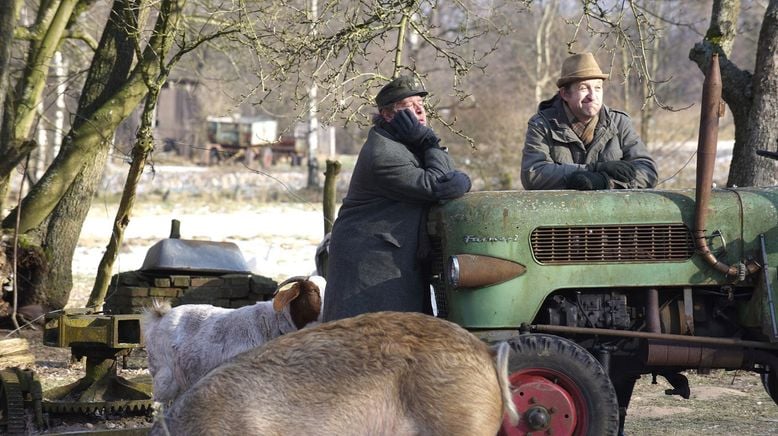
[378, 374]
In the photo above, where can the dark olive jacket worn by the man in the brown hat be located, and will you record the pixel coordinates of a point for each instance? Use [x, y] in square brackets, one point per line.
[552, 151]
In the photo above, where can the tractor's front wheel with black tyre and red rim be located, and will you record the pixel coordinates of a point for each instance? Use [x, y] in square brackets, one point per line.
[559, 388]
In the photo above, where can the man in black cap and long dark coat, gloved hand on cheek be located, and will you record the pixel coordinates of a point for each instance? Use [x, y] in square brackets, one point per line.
[378, 247]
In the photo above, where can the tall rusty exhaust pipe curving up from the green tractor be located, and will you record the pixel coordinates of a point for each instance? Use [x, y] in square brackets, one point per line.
[710, 112]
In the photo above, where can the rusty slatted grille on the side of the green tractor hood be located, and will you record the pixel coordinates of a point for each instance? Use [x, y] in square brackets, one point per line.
[631, 243]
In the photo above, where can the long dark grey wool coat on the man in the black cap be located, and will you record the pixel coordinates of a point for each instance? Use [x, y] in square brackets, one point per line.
[373, 264]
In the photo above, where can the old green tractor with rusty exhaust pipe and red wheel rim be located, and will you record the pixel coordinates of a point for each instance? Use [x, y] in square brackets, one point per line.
[595, 289]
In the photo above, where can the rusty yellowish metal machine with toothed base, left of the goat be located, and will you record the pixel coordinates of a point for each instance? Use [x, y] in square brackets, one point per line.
[102, 339]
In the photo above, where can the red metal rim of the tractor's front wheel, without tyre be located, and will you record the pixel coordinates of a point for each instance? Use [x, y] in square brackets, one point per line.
[546, 400]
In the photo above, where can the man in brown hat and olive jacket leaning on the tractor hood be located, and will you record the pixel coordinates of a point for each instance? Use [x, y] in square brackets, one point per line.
[576, 142]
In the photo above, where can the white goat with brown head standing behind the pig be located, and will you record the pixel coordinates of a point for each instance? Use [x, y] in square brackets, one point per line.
[186, 342]
